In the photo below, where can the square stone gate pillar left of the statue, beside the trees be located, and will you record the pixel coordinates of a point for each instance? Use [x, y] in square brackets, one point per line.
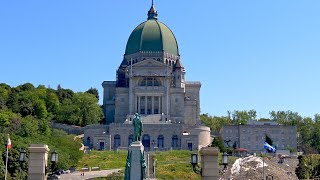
[38, 159]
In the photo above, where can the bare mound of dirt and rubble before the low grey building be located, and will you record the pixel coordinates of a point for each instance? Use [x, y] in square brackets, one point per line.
[253, 168]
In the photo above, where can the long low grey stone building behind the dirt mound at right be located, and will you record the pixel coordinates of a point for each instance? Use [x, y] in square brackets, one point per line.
[252, 136]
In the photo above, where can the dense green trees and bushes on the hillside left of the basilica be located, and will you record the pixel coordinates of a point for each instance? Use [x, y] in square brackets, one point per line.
[25, 114]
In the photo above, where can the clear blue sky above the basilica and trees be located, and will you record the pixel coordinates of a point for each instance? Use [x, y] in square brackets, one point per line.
[248, 54]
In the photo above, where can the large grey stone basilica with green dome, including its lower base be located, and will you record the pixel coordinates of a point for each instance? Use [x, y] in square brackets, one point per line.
[150, 81]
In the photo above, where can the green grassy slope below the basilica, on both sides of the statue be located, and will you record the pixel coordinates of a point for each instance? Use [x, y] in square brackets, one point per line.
[169, 165]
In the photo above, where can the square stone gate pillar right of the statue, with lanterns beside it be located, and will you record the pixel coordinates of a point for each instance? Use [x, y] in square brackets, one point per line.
[209, 163]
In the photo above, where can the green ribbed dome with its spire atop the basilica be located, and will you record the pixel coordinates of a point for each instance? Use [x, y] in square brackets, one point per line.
[152, 36]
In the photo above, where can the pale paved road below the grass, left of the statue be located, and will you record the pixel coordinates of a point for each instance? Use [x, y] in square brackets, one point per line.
[87, 175]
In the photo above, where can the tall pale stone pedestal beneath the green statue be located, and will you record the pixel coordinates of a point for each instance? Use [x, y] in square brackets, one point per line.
[136, 148]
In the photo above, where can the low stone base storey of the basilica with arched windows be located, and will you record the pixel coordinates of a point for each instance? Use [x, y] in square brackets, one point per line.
[155, 136]
